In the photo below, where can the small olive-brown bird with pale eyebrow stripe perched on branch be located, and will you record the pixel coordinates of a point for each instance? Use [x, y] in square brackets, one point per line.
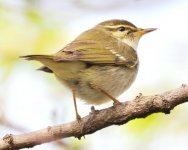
[100, 64]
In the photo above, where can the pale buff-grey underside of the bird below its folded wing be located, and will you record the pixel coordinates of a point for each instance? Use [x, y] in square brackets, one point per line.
[87, 80]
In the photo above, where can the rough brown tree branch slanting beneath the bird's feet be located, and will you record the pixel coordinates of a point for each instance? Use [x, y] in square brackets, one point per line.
[140, 107]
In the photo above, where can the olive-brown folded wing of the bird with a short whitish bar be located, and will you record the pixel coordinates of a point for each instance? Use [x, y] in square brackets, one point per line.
[94, 52]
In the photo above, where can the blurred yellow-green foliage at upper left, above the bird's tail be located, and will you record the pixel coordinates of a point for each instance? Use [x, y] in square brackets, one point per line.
[26, 31]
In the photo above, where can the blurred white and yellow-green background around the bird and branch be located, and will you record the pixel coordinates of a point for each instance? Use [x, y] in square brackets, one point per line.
[31, 100]
